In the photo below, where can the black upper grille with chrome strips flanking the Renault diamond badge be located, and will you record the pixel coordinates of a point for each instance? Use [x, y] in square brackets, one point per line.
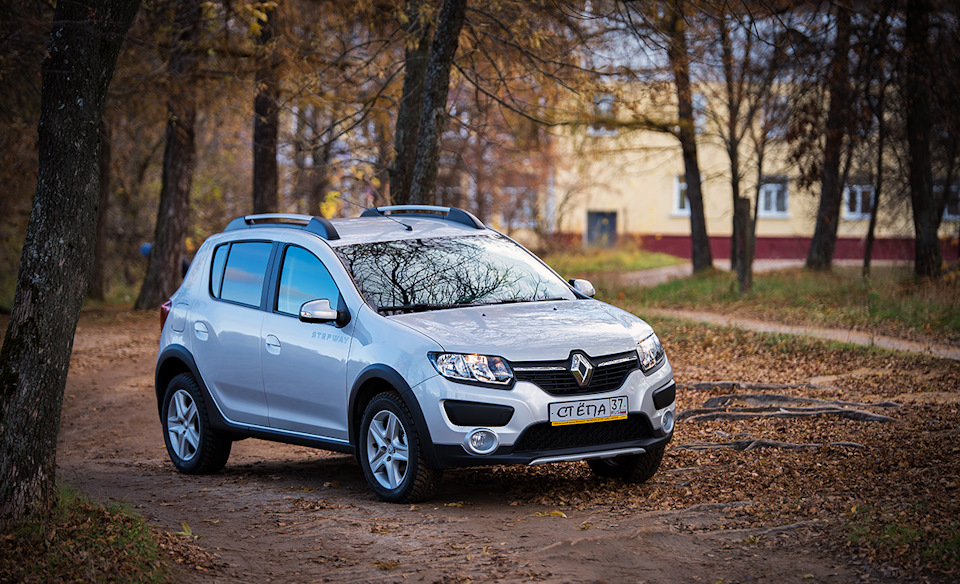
[554, 377]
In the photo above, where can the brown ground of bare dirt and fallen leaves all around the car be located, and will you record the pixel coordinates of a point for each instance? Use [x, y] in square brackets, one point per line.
[863, 499]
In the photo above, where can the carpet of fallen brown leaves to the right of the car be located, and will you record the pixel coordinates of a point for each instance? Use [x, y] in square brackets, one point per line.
[887, 493]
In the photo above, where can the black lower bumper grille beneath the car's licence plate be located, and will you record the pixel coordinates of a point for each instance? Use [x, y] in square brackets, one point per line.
[543, 436]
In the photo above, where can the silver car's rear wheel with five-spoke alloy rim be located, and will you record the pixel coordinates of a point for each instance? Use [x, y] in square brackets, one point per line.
[193, 445]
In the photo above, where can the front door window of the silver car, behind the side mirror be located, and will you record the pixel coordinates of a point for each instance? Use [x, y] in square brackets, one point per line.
[303, 277]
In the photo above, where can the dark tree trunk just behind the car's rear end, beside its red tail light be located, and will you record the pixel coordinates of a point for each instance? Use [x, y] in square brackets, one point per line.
[164, 267]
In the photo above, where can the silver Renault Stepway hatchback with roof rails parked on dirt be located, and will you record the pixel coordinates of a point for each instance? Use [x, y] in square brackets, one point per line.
[412, 337]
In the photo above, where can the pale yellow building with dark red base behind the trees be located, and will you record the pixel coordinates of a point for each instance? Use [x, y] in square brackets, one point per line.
[629, 186]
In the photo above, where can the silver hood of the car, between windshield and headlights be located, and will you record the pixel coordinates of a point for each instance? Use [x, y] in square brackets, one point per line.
[531, 331]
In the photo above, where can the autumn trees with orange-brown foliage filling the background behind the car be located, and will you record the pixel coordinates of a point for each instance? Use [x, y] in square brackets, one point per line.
[219, 109]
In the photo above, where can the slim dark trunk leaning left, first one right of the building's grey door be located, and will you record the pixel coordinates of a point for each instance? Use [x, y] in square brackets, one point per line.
[677, 52]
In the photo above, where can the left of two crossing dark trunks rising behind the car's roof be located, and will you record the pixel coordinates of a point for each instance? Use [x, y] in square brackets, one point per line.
[411, 102]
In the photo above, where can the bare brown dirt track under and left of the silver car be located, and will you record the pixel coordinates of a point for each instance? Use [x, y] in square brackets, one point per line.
[289, 514]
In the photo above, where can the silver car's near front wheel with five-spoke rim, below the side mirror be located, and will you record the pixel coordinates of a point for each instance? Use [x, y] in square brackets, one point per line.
[390, 452]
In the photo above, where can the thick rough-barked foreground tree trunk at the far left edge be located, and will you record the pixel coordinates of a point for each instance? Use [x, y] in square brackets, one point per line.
[58, 250]
